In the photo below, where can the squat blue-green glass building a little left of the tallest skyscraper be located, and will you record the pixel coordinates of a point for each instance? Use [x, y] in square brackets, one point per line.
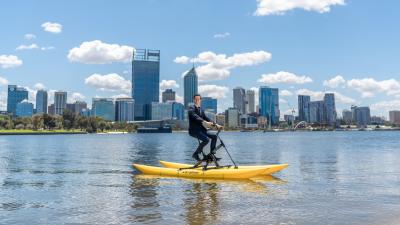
[104, 108]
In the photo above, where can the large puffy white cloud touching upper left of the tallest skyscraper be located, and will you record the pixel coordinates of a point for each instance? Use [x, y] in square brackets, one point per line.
[98, 52]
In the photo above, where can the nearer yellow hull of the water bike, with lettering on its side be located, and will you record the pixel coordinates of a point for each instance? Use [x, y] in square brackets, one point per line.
[221, 173]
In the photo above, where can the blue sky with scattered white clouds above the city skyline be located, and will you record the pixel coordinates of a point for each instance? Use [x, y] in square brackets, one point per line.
[350, 48]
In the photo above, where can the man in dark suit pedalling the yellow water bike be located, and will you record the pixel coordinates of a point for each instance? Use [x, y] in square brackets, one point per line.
[197, 121]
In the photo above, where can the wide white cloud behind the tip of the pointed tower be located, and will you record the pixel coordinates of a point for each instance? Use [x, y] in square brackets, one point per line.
[217, 67]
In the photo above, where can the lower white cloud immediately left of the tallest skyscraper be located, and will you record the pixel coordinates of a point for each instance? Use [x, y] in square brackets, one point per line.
[109, 82]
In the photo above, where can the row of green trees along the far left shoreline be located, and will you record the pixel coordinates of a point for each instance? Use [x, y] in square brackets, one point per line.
[67, 121]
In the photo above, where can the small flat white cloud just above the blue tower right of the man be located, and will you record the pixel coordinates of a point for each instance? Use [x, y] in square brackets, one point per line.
[284, 77]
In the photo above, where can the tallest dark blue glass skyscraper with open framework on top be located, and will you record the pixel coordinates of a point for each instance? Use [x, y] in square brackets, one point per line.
[145, 81]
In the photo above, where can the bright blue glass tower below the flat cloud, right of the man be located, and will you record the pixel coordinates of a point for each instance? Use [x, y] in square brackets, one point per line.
[269, 104]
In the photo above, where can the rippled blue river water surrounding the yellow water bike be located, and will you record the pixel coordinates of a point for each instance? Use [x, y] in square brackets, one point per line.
[333, 178]
